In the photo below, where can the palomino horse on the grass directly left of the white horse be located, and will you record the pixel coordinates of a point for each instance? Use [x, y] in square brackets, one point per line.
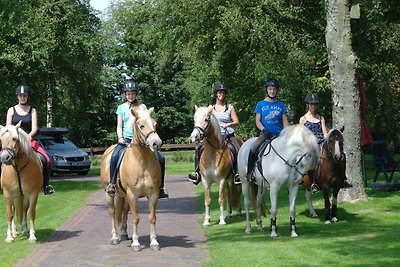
[215, 163]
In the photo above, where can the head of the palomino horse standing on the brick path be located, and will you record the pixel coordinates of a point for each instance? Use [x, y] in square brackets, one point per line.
[145, 128]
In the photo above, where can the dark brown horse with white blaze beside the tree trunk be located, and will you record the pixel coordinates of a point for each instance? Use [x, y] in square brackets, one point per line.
[329, 175]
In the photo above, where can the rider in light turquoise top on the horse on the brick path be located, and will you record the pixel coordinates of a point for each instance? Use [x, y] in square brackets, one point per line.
[125, 135]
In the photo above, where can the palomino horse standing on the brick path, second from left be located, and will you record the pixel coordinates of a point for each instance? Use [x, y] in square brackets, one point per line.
[139, 176]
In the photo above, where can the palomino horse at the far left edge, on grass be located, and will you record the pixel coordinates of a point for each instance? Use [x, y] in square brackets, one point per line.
[21, 180]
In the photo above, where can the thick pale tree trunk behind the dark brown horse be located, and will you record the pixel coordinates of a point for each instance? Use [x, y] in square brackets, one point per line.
[346, 100]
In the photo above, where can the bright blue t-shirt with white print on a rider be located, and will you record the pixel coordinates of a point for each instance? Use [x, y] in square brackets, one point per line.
[271, 115]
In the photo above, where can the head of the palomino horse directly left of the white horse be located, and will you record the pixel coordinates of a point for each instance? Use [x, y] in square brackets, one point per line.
[202, 121]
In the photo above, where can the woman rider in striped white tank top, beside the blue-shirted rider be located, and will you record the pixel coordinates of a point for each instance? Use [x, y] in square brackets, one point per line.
[227, 119]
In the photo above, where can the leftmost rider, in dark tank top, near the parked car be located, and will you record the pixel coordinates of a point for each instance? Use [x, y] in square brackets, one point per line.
[28, 116]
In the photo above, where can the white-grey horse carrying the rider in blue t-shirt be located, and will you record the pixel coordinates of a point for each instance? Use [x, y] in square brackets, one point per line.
[285, 160]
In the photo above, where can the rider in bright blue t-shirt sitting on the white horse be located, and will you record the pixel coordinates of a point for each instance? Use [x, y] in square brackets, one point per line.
[271, 118]
